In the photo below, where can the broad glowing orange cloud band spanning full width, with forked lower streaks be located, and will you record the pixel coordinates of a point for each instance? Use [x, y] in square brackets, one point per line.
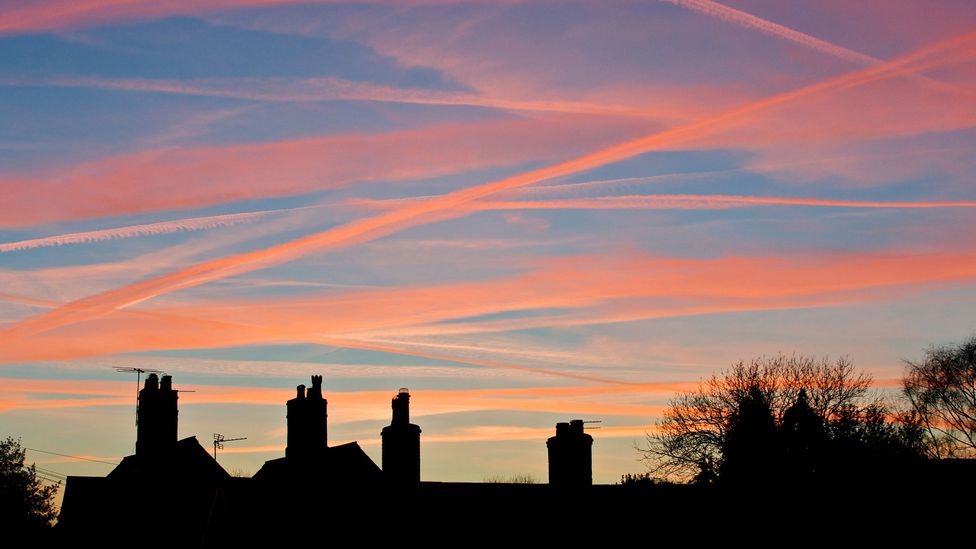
[385, 319]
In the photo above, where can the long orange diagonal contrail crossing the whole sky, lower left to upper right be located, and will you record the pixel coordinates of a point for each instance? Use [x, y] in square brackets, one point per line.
[419, 212]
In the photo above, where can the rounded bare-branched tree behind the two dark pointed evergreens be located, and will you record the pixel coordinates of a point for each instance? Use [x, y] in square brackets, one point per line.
[688, 442]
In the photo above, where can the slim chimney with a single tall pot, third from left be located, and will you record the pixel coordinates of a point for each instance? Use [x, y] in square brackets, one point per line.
[401, 444]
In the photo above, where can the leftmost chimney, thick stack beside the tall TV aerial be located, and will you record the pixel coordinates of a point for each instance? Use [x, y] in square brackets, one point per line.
[157, 417]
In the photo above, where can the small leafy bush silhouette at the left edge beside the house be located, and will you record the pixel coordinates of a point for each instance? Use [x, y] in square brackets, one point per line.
[26, 505]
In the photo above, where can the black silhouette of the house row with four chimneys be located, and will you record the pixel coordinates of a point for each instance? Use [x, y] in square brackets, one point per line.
[173, 492]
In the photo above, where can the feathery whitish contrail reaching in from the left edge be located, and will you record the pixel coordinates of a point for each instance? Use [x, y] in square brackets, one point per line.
[149, 229]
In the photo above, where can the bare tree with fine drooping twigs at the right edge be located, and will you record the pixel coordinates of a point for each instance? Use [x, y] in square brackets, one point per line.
[942, 392]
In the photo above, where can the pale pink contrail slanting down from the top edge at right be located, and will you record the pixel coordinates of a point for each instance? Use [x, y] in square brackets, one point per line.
[747, 20]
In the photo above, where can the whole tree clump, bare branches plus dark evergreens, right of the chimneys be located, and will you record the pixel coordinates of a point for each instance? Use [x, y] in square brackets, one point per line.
[794, 416]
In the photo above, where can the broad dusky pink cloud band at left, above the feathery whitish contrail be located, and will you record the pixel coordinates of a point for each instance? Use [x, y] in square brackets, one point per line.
[196, 177]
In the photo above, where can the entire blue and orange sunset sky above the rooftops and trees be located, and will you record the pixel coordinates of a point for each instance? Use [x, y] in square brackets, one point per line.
[525, 212]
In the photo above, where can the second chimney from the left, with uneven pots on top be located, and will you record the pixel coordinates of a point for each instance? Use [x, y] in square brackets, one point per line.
[307, 419]
